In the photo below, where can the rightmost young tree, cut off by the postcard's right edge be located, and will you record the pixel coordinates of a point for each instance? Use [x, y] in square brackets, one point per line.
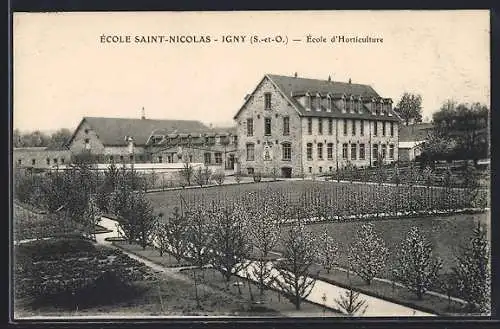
[472, 272]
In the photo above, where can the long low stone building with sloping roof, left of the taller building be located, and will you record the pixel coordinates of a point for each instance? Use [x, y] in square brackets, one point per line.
[123, 140]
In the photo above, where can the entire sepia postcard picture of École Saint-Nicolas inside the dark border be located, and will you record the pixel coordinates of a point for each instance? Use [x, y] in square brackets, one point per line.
[251, 164]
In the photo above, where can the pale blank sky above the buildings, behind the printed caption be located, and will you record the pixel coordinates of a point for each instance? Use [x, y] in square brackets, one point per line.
[63, 72]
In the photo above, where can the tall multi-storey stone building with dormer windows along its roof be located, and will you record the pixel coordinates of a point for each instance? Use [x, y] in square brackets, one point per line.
[297, 126]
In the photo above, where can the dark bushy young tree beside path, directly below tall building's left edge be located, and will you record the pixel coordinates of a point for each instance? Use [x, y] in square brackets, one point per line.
[230, 244]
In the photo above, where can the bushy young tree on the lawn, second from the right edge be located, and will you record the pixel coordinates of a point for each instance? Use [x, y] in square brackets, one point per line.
[417, 269]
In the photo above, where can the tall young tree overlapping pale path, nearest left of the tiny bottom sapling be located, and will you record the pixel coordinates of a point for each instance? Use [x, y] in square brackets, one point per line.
[298, 257]
